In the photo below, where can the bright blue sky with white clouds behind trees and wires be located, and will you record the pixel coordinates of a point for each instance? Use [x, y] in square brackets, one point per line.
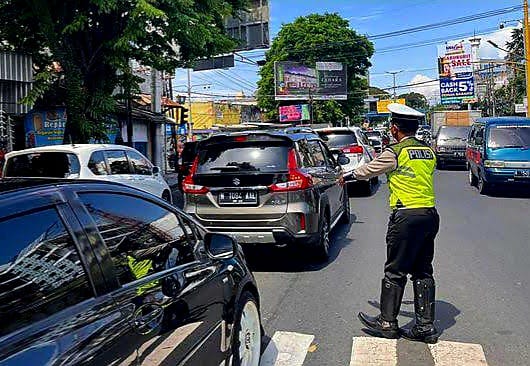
[372, 18]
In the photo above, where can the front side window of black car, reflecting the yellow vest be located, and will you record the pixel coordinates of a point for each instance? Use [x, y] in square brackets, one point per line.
[143, 238]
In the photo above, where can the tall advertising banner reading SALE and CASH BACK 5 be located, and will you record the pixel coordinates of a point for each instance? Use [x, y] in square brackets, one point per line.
[455, 69]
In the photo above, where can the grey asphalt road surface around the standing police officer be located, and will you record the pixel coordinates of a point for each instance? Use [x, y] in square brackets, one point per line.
[482, 268]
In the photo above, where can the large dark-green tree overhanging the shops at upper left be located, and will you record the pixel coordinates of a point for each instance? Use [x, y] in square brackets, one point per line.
[93, 41]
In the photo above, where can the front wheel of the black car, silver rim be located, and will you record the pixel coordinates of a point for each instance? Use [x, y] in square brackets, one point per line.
[246, 339]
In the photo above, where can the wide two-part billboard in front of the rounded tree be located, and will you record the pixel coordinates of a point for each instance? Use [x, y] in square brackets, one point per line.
[296, 81]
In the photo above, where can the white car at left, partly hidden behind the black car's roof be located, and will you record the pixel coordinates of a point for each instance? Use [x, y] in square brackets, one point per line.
[114, 163]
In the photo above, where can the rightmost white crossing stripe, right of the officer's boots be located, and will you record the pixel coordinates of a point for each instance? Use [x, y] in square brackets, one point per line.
[457, 354]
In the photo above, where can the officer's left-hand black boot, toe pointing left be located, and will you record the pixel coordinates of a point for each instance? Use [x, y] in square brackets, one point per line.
[385, 324]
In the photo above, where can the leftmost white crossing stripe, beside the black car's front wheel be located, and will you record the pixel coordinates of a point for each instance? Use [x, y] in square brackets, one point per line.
[286, 349]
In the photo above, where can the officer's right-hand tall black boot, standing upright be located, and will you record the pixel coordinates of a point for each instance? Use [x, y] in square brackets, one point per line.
[424, 329]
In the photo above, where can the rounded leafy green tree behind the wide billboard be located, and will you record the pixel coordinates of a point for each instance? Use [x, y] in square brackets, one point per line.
[315, 38]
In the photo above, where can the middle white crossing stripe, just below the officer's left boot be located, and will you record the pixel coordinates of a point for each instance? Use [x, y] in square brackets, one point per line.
[371, 351]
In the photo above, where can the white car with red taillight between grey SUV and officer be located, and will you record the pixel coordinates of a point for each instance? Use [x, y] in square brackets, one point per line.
[355, 145]
